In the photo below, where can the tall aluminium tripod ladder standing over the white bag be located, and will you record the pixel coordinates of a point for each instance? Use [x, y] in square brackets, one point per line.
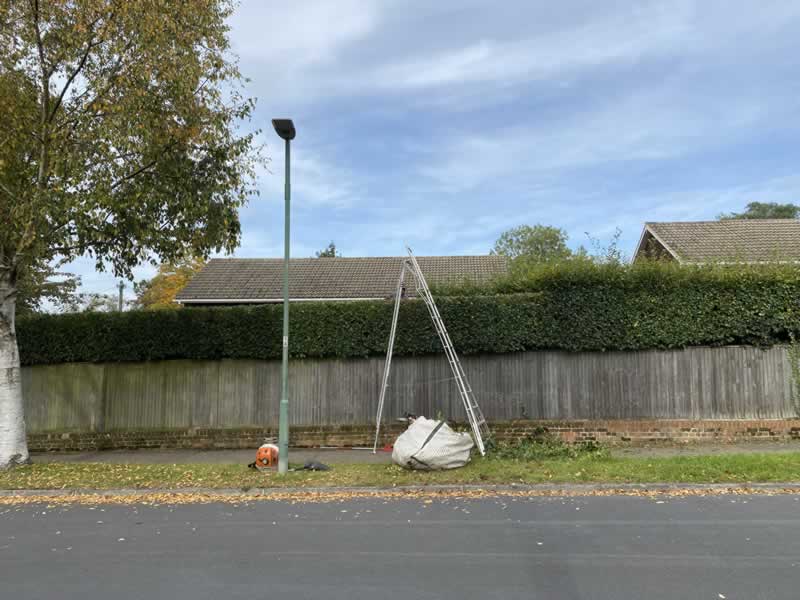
[477, 421]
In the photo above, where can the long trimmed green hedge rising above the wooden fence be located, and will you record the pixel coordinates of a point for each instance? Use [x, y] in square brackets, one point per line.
[568, 307]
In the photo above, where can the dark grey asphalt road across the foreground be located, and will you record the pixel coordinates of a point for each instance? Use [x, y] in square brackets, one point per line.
[620, 548]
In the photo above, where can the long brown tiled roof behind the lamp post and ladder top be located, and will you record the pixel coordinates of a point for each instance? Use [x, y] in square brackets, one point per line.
[240, 280]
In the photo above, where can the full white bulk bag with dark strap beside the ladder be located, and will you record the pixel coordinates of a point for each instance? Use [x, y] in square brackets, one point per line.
[430, 445]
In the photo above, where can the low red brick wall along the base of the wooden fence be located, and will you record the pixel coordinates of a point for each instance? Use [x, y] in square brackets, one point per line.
[608, 432]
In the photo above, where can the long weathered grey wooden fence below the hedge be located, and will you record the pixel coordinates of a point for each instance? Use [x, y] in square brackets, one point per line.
[697, 383]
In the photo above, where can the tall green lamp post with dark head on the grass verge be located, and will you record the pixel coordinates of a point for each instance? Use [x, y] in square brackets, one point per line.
[285, 129]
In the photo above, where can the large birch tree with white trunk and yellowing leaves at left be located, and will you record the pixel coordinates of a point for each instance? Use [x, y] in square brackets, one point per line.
[117, 141]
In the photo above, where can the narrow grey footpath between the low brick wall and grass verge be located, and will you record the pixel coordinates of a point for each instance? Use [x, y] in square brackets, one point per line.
[346, 456]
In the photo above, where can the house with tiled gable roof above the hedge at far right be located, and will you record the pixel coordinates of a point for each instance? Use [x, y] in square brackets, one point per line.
[749, 241]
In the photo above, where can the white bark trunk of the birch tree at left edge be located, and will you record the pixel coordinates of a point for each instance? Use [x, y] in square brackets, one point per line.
[13, 444]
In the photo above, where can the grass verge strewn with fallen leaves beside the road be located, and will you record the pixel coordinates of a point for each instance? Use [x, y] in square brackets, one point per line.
[585, 468]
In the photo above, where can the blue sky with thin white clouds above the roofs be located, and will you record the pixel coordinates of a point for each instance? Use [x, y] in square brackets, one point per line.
[442, 124]
